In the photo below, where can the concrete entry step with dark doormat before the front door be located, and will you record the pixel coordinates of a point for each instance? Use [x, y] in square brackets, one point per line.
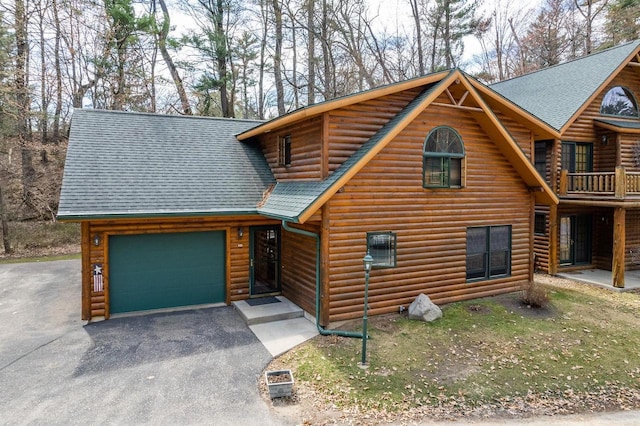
[278, 308]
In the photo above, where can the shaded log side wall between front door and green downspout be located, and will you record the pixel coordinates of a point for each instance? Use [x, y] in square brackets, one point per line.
[299, 267]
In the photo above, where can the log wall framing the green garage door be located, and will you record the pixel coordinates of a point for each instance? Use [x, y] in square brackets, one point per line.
[96, 304]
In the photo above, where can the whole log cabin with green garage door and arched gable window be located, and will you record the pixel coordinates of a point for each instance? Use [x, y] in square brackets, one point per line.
[432, 176]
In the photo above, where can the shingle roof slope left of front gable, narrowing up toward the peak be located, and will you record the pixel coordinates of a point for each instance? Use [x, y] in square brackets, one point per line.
[289, 200]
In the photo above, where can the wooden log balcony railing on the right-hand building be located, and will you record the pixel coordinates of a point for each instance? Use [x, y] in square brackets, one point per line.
[618, 184]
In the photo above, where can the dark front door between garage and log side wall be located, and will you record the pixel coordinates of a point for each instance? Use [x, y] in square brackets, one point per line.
[265, 260]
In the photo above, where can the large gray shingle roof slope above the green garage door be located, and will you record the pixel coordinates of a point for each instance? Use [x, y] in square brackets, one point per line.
[123, 164]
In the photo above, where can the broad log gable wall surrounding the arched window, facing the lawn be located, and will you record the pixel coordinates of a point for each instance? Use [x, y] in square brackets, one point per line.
[431, 224]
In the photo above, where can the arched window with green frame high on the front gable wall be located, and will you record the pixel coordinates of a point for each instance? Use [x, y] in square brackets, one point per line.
[443, 154]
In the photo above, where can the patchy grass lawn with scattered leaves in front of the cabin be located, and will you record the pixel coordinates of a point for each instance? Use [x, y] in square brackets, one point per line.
[487, 357]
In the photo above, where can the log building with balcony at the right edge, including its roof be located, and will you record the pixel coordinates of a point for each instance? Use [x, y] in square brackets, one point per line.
[593, 165]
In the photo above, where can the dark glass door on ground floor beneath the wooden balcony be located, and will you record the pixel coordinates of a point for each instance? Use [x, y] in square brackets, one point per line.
[575, 239]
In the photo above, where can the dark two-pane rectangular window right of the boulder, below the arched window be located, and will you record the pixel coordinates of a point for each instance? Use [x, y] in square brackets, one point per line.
[488, 252]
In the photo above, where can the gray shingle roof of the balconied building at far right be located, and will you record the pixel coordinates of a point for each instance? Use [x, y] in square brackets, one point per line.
[557, 94]
